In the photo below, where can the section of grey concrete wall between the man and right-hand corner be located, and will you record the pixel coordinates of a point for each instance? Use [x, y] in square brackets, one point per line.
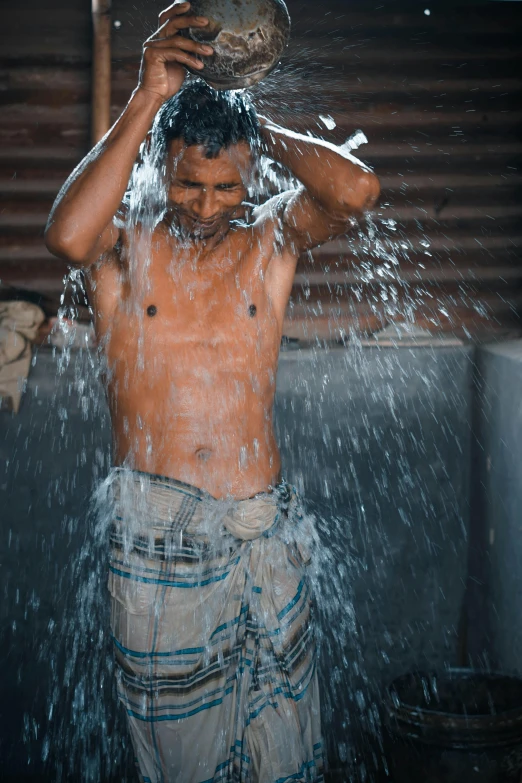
[380, 441]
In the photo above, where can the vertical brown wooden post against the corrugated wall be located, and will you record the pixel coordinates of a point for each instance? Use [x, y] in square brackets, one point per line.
[101, 69]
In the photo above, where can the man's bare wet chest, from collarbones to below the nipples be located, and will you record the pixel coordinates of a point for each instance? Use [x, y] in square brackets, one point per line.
[190, 317]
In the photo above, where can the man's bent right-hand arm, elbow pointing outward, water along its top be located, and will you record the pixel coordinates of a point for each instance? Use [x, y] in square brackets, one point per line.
[335, 186]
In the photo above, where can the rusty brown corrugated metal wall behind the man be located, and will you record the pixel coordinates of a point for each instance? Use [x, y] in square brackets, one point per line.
[438, 97]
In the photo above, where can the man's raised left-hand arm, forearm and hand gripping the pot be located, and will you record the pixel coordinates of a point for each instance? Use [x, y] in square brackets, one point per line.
[80, 227]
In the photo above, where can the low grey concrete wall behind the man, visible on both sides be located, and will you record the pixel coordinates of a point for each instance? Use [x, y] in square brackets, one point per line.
[377, 439]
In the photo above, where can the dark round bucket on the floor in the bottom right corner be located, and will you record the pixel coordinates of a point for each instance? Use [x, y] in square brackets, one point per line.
[459, 726]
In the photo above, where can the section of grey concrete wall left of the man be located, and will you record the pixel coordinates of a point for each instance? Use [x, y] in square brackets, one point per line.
[51, 454]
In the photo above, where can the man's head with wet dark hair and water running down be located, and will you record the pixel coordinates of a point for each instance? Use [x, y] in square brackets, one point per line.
[208, 137]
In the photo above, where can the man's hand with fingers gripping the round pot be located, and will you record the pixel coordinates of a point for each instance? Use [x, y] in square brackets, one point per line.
[166, 52]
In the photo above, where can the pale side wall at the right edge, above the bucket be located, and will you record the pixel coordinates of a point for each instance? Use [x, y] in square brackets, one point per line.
[497, 562]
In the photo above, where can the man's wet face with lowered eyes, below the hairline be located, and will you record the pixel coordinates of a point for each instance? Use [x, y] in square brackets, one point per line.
[205, 194]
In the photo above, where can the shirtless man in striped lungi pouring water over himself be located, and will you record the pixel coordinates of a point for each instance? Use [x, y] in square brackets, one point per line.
[210, 598]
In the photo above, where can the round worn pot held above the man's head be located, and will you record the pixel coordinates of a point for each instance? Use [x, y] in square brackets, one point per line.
[248, 38]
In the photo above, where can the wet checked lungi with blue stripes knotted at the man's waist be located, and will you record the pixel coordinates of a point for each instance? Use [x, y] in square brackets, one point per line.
[211, 616]
